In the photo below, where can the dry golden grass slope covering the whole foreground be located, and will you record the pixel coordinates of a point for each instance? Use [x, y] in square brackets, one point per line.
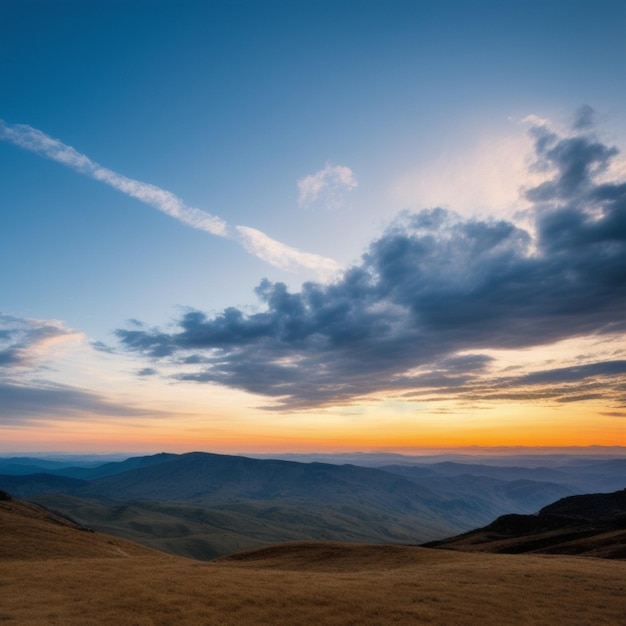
[53, 574]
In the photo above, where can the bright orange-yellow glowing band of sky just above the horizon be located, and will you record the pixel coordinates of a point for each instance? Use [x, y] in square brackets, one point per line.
[514, 427]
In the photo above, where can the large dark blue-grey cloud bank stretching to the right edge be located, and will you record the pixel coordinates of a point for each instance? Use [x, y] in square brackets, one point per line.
[428, 296]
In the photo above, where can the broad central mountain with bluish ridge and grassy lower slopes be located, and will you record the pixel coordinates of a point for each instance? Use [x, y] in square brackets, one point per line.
[205, 505]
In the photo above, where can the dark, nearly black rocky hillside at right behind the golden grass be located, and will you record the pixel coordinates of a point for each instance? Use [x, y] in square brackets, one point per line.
[590, 525]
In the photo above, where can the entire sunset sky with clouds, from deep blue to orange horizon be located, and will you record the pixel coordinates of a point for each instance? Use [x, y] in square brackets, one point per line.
[269, 226]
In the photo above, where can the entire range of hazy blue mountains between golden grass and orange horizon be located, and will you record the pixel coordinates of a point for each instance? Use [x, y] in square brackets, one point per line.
[204, 505]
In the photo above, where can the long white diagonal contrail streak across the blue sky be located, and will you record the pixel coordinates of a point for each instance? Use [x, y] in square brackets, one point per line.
[253, 241]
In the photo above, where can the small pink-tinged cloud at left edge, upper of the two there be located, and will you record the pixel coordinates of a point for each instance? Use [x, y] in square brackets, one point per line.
[24, 342]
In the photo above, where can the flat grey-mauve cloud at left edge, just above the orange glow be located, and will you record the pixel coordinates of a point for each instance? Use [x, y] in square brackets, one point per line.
[25, 403]
